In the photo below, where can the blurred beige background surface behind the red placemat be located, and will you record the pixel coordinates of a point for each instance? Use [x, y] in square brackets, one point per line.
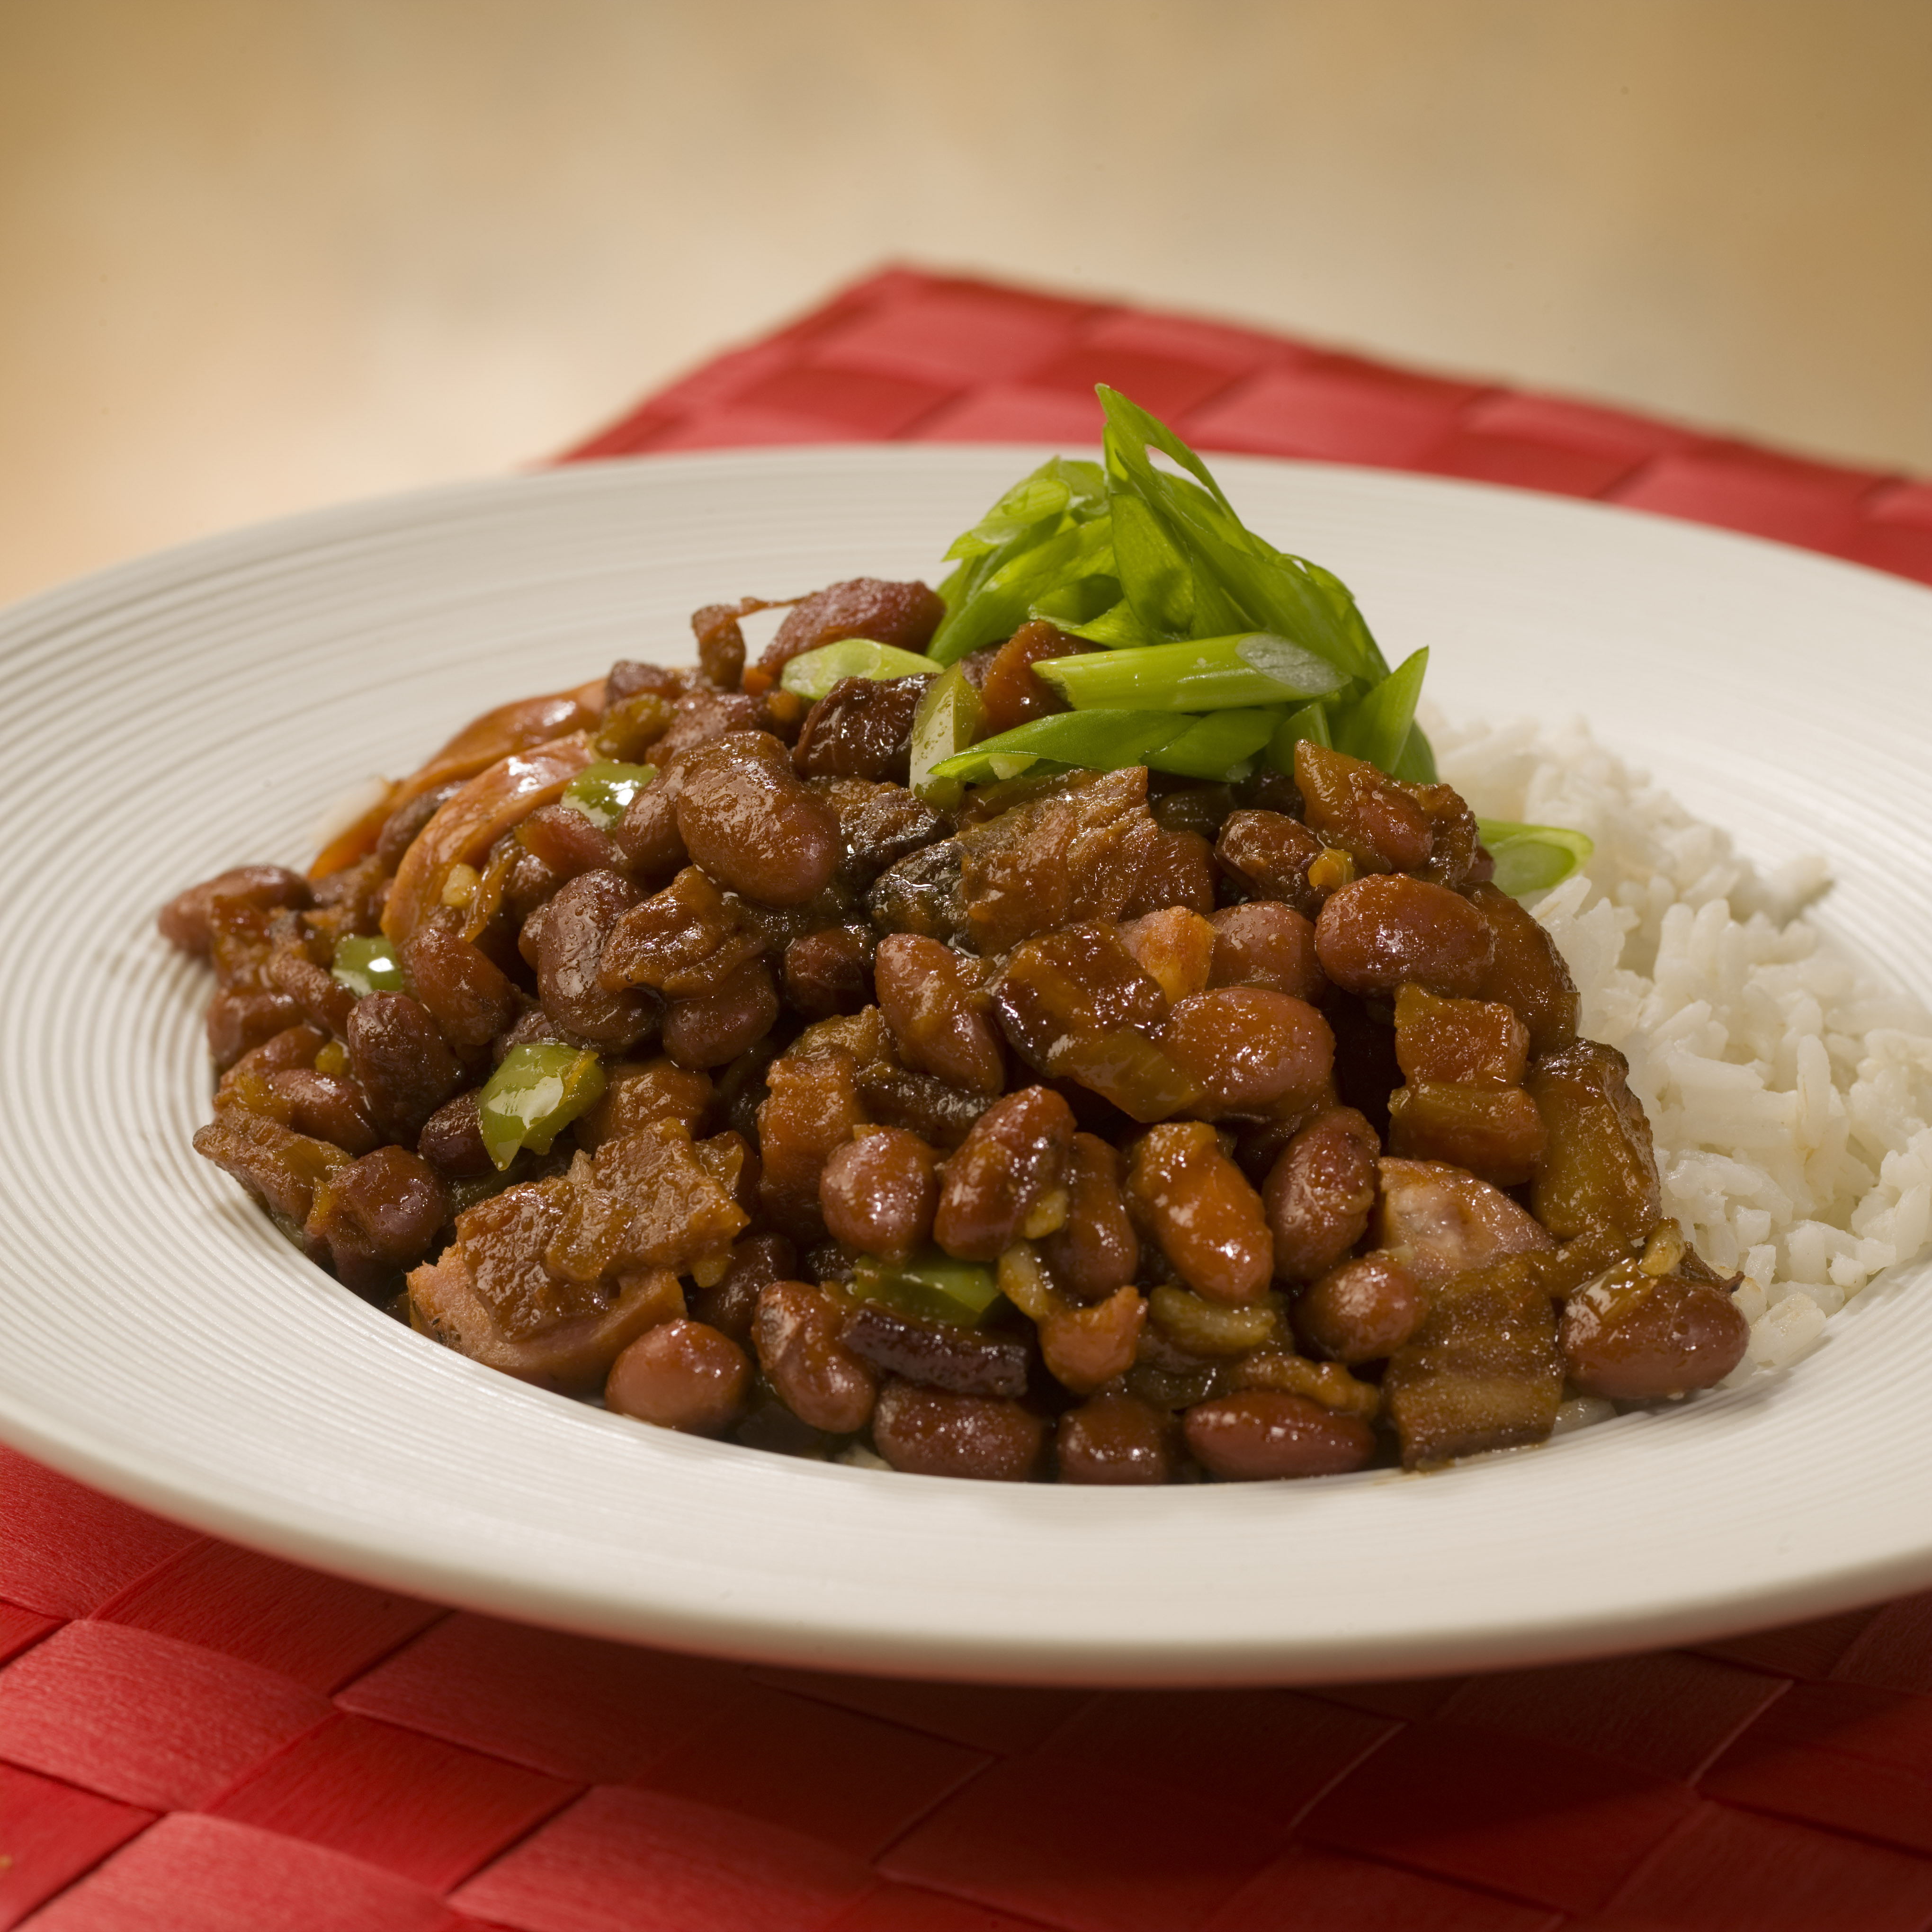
[264, 256]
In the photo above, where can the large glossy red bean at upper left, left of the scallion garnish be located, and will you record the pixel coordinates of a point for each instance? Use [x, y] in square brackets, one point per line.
[751, 824]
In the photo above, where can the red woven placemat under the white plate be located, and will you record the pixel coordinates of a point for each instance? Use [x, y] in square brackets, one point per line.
[202, 1740]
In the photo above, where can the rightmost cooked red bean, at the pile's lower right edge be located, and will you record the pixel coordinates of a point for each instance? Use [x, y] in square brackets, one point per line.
[1639, 1338]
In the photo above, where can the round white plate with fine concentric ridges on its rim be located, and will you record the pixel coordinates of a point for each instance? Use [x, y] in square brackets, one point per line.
[185, 714]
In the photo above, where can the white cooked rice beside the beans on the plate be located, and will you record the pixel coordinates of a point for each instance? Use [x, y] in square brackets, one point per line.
[1788, 1091]
